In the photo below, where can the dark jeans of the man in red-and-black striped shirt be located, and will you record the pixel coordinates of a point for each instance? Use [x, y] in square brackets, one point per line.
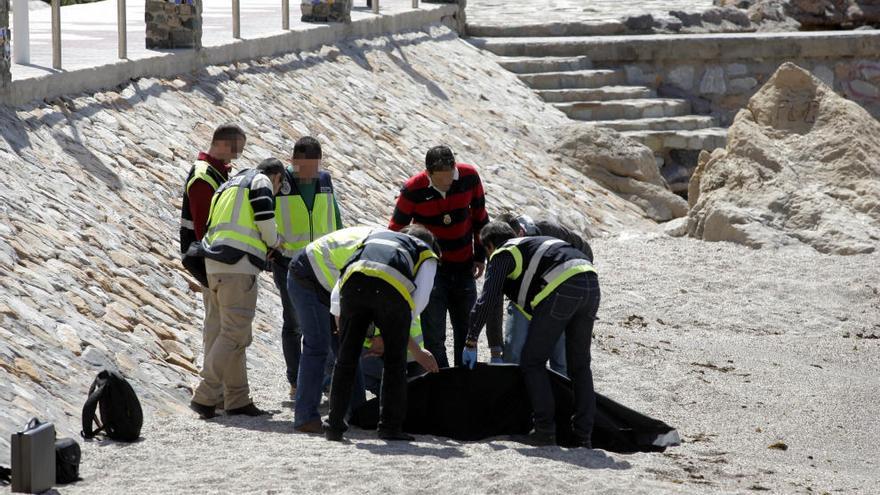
[455, 291]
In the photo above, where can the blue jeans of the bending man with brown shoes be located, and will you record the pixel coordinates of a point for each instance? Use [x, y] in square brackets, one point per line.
[314, 320]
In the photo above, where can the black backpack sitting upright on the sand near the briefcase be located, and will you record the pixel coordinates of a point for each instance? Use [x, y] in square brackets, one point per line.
[121, 413]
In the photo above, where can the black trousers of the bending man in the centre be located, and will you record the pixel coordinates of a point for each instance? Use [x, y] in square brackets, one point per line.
[365, 300]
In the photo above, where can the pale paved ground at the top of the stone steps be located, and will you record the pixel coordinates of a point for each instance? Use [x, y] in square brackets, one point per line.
[528, 12]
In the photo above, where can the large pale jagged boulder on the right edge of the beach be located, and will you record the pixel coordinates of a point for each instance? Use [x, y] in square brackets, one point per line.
[801, 167]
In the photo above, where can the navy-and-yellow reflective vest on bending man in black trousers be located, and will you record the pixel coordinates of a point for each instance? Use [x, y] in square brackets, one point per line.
[392, 257]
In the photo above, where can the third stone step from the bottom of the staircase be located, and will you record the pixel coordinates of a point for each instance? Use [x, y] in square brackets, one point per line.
[625, 109]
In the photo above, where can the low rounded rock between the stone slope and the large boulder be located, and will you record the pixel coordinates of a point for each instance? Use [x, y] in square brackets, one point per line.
[621, 164]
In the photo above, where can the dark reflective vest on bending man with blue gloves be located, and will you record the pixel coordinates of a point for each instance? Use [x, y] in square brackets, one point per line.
[542, 264]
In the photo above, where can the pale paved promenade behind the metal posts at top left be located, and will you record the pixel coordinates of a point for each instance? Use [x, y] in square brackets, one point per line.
[89, 35]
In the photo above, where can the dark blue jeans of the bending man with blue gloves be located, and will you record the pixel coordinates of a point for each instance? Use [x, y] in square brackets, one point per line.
[571, 308]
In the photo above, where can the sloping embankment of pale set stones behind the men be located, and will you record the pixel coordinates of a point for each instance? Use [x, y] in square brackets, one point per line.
[91, 189]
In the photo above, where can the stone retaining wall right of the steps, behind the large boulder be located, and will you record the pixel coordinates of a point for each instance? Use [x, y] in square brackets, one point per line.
[719, 74]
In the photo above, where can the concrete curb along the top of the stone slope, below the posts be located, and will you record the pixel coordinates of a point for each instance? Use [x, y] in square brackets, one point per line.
[177, 62]
